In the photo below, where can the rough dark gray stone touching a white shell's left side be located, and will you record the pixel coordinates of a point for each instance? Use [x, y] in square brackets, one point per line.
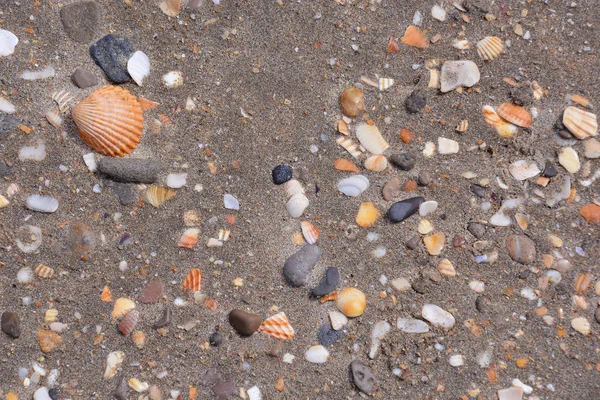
[111, 53]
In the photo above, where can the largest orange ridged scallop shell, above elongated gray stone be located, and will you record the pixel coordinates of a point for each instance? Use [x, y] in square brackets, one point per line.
[110, 121]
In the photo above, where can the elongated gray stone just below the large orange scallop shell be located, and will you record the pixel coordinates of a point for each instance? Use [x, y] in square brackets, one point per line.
[132, 170]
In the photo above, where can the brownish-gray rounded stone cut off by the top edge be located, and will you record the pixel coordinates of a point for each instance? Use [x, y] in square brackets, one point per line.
[81, 20]
